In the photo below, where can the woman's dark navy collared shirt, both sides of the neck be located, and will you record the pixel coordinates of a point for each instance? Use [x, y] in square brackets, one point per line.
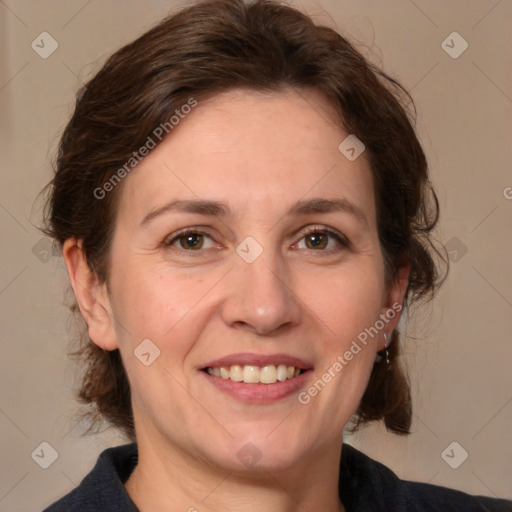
[365, 485]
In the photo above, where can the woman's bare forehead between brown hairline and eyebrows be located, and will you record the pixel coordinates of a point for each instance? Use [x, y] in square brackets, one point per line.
[259, 152]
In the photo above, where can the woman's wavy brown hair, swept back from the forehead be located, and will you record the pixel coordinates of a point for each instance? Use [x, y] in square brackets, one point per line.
[213, 46]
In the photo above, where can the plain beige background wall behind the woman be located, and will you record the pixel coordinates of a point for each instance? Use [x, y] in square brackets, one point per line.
[459, 350]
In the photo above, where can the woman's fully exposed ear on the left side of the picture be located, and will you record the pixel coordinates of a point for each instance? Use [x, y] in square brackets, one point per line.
[91, 295]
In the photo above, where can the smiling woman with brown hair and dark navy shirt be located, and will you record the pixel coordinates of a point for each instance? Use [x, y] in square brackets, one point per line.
[244, 209]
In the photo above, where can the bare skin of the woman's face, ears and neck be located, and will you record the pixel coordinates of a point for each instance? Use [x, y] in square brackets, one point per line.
[258, 154]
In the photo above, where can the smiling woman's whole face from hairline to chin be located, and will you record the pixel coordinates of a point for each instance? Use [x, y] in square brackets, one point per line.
[248, 240]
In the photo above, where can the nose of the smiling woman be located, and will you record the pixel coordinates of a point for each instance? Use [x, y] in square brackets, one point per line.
[260, 298]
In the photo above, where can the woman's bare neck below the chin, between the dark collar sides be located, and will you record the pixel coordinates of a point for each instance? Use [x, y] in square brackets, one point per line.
[174, 481]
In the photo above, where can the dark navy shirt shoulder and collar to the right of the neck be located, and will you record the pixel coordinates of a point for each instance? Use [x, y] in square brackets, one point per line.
[368, 485]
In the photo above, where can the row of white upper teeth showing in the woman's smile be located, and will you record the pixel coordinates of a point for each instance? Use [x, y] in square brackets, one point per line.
[250, 374]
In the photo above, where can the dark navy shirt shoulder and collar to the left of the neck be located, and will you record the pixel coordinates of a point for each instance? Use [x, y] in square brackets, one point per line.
[103, 488]
